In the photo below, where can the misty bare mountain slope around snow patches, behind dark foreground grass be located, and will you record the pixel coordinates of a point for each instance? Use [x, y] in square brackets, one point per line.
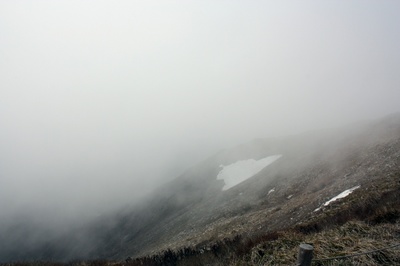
[193, 210]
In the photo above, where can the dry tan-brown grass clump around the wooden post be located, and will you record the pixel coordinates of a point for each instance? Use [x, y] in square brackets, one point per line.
[351, 238]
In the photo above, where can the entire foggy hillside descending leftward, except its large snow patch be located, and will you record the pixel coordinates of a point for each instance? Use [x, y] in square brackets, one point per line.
[284, 200]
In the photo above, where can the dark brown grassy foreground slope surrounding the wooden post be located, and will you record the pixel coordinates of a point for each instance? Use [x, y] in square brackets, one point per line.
[367, 219]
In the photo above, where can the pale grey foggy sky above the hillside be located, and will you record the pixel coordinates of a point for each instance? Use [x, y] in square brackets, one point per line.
[100, 100]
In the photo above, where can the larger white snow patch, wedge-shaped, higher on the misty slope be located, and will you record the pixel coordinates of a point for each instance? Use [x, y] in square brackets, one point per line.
[238, 172]
